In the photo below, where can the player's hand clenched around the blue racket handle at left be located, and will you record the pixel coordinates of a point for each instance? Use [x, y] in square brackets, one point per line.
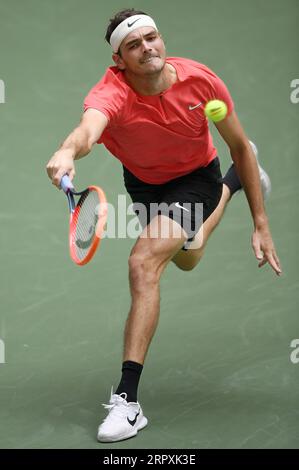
[60, 164]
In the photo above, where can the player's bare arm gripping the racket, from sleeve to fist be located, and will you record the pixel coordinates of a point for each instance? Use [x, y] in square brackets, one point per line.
[78, 144]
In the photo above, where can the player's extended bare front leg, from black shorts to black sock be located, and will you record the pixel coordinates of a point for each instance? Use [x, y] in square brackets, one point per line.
[148, 260]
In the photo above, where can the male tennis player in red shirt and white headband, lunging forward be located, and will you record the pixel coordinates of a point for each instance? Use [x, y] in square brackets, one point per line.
[148, 111]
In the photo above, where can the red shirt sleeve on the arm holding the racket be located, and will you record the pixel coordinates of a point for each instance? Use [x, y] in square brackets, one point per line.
[106, 96]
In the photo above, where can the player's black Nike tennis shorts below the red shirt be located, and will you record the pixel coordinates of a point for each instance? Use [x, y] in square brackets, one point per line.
[188, 199]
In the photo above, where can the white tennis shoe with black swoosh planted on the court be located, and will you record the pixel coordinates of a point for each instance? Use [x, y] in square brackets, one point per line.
[124, 419]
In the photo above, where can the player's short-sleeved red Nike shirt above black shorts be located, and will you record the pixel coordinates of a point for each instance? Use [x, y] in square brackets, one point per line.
[160, 137]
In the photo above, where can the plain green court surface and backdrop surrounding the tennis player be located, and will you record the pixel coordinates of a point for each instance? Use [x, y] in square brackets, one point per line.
[219, 373]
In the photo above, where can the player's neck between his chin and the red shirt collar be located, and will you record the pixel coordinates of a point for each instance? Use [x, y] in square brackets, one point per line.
[152, 84]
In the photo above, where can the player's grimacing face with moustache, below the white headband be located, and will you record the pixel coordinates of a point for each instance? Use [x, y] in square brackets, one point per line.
[142, 52]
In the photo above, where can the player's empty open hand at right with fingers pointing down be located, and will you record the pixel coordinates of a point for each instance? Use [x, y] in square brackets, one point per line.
[264, 249]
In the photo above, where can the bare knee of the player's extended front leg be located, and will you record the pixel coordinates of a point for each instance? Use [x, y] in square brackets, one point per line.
[143, 270]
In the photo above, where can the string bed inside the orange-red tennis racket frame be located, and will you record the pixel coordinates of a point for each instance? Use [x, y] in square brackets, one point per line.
[86, 218]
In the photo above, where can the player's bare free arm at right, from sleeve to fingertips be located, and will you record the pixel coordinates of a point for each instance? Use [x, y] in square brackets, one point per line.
[248, 173]
